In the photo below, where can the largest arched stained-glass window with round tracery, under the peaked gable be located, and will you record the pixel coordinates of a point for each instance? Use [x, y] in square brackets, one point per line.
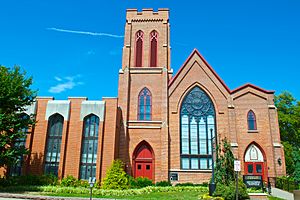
[197, 127]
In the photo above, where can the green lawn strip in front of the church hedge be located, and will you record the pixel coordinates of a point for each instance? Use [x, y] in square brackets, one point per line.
[185, 195]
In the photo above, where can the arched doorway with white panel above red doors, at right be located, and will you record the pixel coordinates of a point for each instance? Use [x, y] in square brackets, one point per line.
[255, 161]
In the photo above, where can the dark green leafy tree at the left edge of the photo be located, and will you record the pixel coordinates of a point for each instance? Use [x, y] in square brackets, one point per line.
[15, 95]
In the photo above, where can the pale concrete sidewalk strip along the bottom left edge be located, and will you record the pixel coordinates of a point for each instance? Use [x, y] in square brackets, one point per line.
[6, 196]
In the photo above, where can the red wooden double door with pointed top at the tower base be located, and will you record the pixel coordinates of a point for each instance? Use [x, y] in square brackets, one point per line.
[143, 166]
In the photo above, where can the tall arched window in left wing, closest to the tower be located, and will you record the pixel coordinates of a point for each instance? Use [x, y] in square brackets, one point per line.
[89, 147]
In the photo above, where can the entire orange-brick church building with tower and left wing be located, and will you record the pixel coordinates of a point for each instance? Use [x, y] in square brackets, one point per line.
[161, 124]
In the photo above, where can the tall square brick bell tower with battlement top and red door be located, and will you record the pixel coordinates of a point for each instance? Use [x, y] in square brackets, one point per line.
[143, 94]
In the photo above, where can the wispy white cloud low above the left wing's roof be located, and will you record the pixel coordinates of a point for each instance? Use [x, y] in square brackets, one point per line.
[68, 84]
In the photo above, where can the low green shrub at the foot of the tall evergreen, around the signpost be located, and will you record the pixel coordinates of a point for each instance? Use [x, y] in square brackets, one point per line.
[228, 191]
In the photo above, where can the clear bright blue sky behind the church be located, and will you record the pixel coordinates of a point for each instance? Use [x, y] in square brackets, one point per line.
[253, 41]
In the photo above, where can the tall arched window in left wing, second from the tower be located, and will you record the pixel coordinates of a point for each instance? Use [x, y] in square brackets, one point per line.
[54, 135]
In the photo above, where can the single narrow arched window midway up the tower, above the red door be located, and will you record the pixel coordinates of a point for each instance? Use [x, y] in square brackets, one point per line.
[144, 108]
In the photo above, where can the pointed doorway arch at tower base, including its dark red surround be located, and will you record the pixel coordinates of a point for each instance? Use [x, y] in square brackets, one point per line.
[143, 161]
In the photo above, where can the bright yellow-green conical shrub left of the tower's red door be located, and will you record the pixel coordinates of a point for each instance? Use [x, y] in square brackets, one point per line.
[116, 177]
